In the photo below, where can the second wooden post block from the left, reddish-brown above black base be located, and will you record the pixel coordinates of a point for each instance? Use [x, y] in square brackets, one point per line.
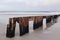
[23, 24]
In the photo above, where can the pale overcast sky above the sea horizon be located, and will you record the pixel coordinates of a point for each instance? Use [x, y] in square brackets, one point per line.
[29, 5]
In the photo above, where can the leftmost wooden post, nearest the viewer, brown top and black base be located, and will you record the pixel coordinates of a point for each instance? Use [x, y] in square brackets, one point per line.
[11, 28]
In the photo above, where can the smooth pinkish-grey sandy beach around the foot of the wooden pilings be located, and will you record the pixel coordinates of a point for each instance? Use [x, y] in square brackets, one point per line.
[51, 33]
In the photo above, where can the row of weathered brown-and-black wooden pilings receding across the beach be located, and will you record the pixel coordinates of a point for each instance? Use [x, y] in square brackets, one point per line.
[24, 24]
